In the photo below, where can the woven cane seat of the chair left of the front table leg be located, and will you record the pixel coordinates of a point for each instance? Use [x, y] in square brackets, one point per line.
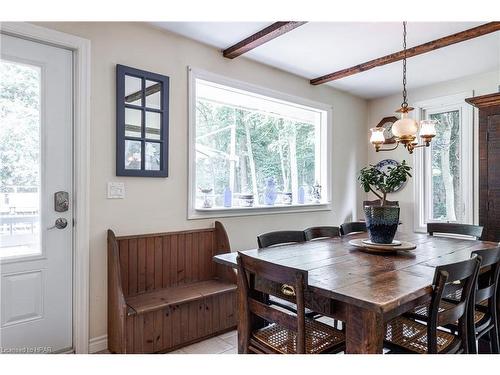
[320, 338]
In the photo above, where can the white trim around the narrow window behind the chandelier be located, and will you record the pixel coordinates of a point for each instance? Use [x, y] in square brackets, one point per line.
[445, 103]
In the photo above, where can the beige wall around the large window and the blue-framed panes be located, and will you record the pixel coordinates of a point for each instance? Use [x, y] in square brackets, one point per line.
[153, 204]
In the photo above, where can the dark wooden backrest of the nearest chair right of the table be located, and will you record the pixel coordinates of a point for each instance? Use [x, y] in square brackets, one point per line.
[447, 277]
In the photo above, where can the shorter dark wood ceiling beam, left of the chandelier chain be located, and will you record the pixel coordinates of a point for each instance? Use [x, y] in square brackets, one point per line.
[263, 36]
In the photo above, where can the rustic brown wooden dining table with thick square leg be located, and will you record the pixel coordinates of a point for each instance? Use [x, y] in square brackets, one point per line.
[365, 290]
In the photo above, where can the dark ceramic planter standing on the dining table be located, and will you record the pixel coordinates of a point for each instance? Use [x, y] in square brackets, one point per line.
[382, 223]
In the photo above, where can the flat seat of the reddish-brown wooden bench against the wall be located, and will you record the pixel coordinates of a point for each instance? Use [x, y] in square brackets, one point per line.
[159, 299]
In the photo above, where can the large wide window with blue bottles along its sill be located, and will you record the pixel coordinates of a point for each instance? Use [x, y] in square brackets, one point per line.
[253, 149]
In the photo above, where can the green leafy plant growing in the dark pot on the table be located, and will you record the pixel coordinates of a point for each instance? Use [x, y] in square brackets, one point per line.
[382, 183]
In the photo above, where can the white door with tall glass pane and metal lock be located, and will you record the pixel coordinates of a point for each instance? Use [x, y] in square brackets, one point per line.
[36, 256]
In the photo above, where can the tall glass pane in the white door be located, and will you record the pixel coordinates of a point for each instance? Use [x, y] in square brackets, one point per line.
[19, 159]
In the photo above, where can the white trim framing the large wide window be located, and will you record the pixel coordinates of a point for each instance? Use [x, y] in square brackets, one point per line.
[326, 150]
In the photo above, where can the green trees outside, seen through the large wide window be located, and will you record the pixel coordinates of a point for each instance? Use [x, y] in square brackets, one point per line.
[268, 141]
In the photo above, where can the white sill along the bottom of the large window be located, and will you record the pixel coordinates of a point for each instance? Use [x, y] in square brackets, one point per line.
[214, 212]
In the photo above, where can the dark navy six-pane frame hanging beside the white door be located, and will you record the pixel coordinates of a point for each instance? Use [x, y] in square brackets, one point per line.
[121, 72]
